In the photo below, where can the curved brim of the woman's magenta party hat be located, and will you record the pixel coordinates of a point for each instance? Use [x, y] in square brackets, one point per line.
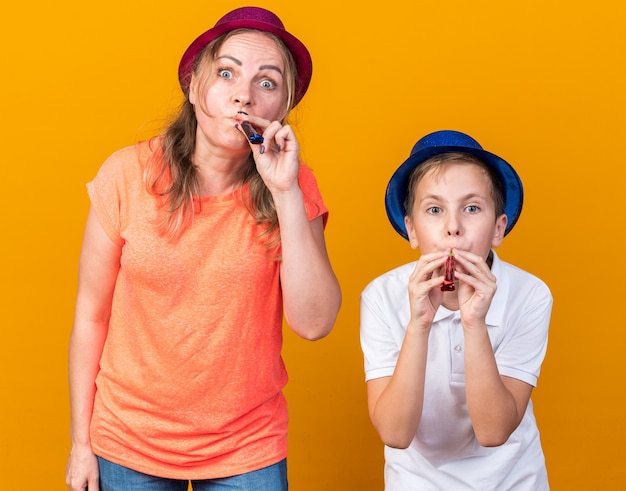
[301, 55]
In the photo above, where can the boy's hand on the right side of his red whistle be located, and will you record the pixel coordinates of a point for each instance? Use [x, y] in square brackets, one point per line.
[477, 286]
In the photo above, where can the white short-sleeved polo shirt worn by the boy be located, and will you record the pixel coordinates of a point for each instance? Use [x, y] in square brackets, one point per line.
[445, 455]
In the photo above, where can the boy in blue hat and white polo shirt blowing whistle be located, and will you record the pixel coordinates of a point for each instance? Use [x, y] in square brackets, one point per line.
[450, 374]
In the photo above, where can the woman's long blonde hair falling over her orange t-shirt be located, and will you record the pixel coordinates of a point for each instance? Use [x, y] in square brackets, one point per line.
[172, 175]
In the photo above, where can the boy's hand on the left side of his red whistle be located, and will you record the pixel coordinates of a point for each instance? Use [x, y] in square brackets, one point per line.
[425, 294]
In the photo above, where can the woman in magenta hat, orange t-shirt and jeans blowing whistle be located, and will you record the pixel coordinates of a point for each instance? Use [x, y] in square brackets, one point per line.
[196, 244]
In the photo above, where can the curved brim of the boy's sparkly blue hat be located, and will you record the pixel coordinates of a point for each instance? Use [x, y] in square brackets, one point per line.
[398, 186]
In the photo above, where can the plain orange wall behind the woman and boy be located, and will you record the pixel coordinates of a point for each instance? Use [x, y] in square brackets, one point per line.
[541, 83]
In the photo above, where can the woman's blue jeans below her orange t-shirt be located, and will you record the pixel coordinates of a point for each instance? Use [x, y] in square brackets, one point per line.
[114, 477]
